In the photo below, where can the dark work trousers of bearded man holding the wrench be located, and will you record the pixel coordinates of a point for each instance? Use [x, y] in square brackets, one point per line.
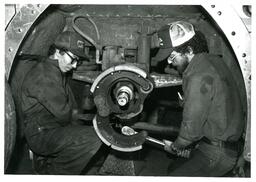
[206, 161]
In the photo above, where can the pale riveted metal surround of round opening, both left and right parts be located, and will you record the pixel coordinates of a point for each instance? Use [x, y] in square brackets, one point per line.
[237, 35]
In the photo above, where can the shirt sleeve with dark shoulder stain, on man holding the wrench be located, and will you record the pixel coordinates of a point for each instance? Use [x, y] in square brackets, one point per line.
[198, 94]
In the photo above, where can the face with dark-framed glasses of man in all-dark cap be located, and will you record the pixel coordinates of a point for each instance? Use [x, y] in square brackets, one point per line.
[67, 61]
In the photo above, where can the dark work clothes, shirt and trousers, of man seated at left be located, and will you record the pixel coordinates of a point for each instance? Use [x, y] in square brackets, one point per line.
[47, 103]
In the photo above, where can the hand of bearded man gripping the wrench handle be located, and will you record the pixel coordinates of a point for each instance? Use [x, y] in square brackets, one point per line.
[170, 147]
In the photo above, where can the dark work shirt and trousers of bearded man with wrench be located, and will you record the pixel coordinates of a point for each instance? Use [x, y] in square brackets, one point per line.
[212, 113]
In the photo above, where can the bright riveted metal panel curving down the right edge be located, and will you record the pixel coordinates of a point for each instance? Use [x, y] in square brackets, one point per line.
[240, 41]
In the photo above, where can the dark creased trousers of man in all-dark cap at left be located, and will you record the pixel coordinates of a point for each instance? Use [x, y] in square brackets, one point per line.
[70, 148]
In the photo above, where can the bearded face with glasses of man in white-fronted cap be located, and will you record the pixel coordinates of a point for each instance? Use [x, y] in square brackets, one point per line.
[179, 61]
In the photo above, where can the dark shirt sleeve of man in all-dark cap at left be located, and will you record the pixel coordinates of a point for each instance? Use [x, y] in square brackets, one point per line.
[51, 93]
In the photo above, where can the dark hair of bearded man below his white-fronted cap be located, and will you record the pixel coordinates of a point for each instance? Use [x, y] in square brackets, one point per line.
[198, 43]
